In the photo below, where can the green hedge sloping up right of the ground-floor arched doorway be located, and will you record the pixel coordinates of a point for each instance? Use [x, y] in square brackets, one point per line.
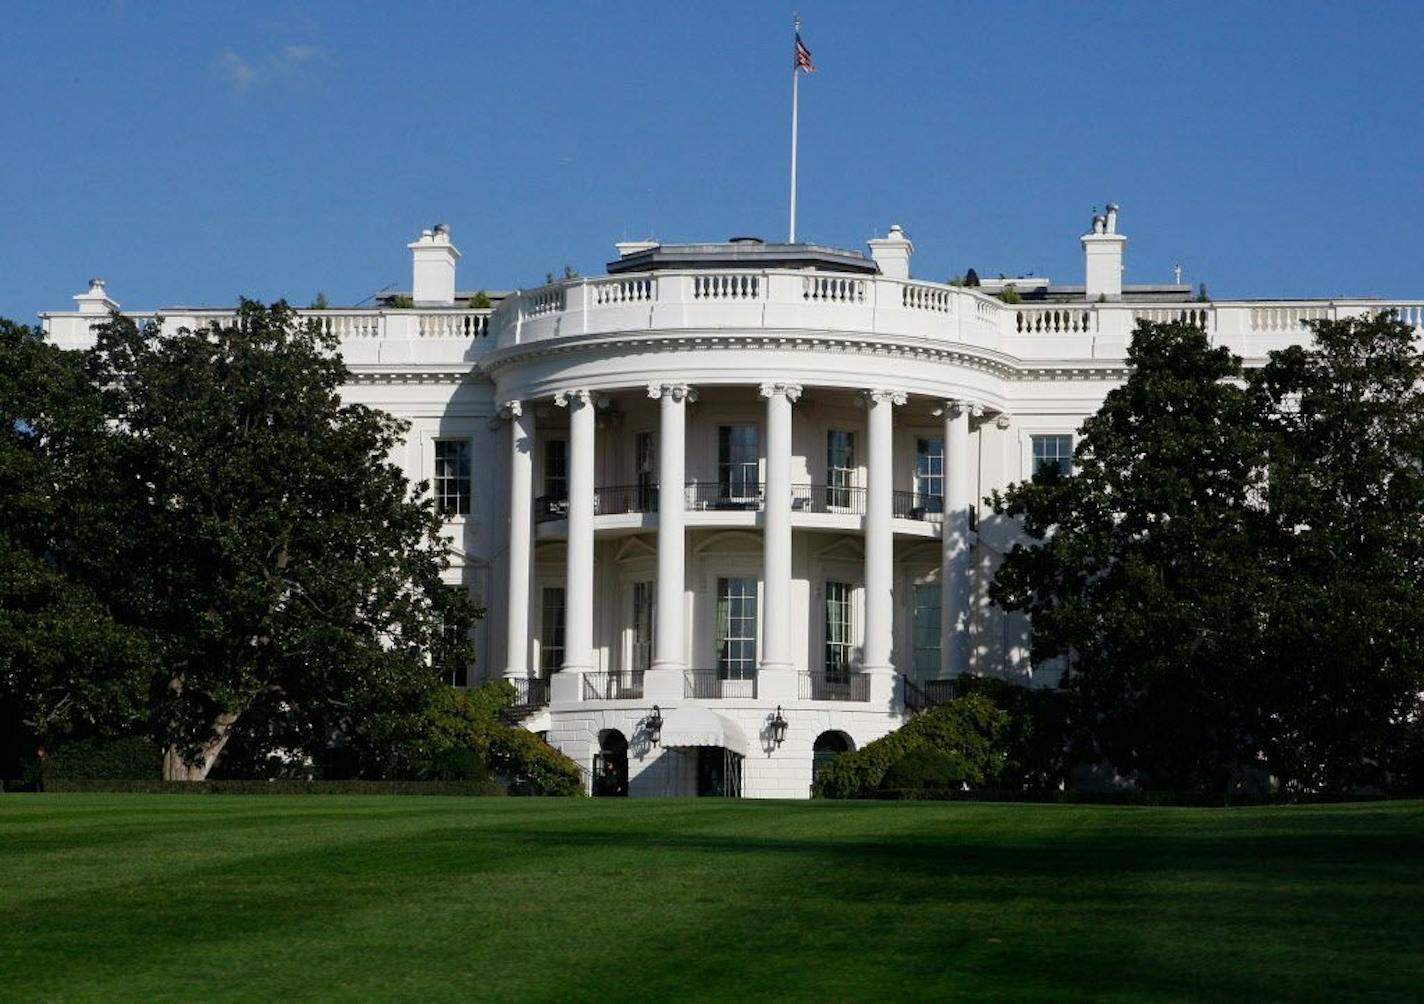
[966, 728]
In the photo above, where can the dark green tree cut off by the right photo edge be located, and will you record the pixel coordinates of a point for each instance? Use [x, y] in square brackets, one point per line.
[1346, 495]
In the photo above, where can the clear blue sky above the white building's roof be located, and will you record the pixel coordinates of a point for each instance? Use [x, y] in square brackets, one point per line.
[194, 152]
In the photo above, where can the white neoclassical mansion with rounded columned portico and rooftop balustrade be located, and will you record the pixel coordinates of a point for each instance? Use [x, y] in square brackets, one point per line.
[734, 485]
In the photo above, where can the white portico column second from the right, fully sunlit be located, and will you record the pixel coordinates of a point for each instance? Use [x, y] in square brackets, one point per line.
[879, 533]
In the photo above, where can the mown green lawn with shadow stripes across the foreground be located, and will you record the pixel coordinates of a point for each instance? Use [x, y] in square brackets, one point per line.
[294, 898]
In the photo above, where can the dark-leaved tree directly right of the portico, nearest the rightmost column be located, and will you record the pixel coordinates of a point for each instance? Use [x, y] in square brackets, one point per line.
[1141, 576]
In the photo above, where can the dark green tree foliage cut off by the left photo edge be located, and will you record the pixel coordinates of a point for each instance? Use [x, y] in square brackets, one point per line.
[66, 666]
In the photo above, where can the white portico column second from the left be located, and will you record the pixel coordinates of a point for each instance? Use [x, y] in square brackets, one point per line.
[579, 592]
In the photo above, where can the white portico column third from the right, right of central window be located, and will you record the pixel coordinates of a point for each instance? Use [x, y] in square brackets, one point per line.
[777, 545]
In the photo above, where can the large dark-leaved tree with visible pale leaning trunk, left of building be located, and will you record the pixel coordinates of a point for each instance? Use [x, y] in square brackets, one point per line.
[251, 525]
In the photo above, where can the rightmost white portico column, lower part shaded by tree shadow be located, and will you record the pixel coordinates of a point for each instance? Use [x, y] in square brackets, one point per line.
[955, 570]
